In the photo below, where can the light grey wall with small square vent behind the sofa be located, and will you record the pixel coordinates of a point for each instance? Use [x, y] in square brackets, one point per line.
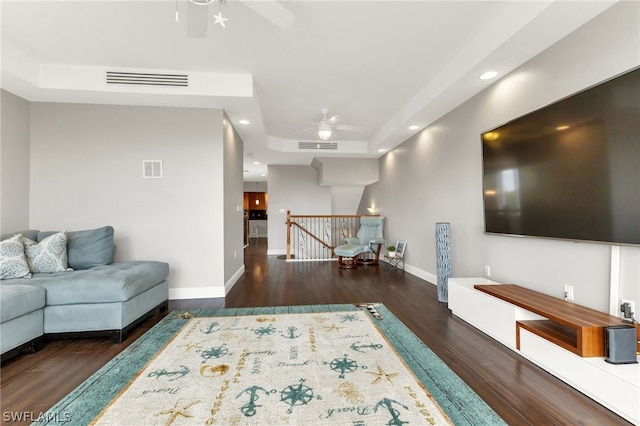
[86, 171]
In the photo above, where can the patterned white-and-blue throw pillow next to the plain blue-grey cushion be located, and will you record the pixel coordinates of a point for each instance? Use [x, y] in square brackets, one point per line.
[47, 256]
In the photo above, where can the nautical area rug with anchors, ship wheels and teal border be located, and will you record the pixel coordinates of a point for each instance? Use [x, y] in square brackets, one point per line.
[319, 364]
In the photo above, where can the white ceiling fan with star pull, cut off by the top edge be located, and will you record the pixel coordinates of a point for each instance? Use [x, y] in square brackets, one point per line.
[198, 14]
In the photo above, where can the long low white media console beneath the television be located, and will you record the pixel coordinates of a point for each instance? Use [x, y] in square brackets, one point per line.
[616, 387]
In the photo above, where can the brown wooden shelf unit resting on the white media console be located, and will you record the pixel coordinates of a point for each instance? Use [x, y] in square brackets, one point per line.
[573, 327]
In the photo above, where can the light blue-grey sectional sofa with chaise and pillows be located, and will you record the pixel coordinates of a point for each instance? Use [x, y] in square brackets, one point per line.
[86, 294]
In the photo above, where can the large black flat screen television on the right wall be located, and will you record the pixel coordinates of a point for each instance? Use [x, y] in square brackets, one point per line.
[570, 170]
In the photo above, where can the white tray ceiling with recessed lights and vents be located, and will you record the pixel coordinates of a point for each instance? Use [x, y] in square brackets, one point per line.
[379, 65]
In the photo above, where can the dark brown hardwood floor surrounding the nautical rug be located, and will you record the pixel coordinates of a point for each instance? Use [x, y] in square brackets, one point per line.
[520, 392]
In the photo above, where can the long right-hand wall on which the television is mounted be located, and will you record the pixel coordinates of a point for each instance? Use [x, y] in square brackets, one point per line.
[436, 175]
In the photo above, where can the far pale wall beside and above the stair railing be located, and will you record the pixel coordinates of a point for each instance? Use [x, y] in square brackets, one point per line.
[293, 188]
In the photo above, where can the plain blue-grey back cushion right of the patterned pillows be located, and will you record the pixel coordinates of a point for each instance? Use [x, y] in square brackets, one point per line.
[89, 248]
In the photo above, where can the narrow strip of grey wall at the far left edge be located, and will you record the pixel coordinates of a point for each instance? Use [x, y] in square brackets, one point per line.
[14, 163]
